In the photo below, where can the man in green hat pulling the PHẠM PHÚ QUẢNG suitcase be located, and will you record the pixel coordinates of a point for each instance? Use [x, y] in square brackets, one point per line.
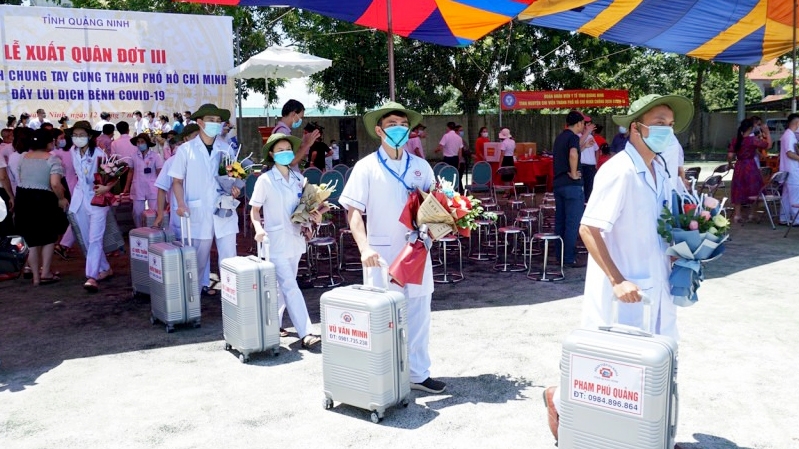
[619, 228]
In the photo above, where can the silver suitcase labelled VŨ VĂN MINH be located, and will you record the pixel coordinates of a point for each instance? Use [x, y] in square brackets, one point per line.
[365, 347]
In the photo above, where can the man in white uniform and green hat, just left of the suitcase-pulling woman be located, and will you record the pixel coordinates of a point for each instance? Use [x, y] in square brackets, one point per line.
[195, 188]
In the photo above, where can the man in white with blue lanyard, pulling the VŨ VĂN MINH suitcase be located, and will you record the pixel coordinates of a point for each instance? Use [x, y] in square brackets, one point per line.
[379, 186]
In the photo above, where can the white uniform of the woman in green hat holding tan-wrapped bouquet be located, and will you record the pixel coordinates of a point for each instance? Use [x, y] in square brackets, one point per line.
[278, 197]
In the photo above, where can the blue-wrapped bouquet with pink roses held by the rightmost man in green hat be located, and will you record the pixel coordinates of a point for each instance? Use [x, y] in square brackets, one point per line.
[696, 229]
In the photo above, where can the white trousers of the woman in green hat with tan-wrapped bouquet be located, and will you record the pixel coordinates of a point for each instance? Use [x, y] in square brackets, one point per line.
[289, 295]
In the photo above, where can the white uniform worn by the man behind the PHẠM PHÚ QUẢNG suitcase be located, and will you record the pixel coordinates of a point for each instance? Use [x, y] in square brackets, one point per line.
[626, 204]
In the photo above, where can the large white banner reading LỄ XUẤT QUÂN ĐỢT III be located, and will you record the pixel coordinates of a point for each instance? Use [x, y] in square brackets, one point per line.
[80, 62]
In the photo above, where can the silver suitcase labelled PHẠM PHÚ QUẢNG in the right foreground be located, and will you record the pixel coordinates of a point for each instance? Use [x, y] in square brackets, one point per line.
[618, 388]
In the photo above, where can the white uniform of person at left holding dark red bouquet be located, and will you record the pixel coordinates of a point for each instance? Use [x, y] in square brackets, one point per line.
[90, 219]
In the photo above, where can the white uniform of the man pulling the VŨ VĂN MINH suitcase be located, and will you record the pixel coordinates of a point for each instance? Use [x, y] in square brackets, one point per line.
[379, 186]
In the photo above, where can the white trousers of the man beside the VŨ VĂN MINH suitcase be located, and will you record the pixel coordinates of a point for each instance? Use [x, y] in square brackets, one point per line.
[419, 337]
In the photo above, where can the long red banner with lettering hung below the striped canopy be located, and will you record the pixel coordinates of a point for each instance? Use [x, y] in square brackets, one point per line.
[563, 99]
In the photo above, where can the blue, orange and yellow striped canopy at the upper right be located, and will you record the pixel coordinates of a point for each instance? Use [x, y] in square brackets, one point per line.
[745, 32]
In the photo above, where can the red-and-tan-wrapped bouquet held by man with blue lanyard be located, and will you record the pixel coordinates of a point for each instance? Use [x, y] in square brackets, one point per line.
[429, 217]
